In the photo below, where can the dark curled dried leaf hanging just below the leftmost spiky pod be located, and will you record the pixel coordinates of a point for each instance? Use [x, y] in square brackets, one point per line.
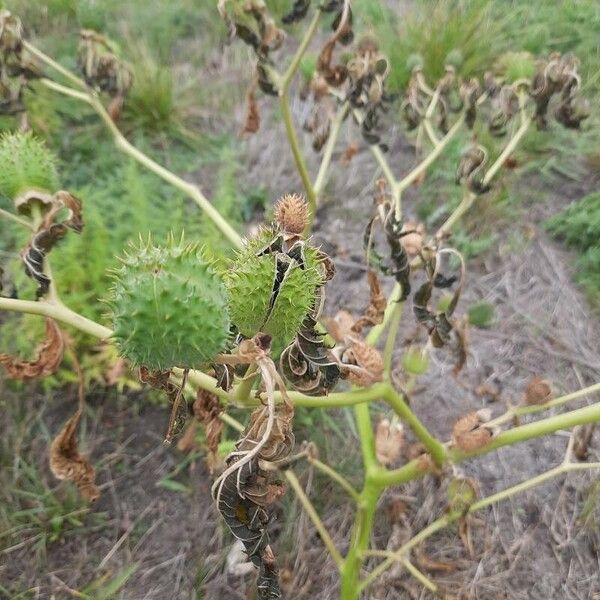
[48, 235]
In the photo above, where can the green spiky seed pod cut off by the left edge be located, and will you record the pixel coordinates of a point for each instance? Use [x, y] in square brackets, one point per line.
[27, 165]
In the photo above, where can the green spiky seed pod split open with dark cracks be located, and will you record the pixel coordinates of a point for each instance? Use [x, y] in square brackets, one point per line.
[250, 283]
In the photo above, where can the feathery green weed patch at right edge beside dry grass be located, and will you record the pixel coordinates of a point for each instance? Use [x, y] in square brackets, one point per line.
[578, 228]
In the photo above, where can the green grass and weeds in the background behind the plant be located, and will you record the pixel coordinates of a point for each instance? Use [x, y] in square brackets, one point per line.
[168, 115]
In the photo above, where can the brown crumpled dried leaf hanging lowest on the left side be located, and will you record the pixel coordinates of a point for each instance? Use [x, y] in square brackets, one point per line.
[68, 464]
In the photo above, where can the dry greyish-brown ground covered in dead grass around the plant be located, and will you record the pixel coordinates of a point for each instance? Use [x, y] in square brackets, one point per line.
[534, 546]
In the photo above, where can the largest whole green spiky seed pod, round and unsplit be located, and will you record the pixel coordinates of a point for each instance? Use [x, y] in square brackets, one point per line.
[169, 307]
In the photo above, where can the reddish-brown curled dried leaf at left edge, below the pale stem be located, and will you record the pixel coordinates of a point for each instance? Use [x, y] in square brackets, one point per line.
[49, 355]
